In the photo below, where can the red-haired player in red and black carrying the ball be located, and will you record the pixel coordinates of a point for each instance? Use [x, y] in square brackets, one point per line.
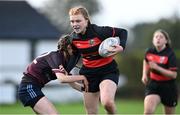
[101, 72]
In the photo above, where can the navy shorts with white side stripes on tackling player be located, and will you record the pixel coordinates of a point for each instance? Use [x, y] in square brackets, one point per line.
[29, 94]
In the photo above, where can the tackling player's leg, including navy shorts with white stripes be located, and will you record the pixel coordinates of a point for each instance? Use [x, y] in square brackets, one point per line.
[31, 95]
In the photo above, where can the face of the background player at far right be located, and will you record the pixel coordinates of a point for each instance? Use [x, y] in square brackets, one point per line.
[159, 40]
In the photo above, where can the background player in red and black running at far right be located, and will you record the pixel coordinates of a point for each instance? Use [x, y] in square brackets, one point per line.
[160, 67]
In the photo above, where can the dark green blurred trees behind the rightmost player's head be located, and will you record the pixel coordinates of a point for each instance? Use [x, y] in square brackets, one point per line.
[143, 32]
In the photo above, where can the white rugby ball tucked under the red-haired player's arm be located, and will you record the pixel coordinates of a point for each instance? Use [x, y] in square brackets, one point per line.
[107, 44]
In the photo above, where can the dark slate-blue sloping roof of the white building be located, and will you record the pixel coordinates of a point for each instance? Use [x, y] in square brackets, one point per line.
[19, 20]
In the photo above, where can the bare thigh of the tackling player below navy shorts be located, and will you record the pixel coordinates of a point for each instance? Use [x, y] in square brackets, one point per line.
[44, 106]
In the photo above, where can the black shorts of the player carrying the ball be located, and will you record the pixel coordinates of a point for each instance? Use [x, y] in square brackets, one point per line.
[94, 80]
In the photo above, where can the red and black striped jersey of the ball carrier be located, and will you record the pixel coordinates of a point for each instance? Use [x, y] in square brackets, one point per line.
[89, 42]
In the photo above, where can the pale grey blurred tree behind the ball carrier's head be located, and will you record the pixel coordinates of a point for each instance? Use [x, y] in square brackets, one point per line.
[57, 11]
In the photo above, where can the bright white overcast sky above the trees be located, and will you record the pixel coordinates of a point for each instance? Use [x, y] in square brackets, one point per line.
[130, 12]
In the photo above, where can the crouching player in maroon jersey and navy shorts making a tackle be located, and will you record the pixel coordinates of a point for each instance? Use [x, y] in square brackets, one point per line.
[49, 66]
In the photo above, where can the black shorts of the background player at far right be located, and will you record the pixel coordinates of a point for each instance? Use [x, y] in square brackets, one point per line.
[167, 90]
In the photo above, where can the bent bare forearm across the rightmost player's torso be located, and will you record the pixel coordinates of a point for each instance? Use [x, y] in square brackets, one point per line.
[163, 71]
